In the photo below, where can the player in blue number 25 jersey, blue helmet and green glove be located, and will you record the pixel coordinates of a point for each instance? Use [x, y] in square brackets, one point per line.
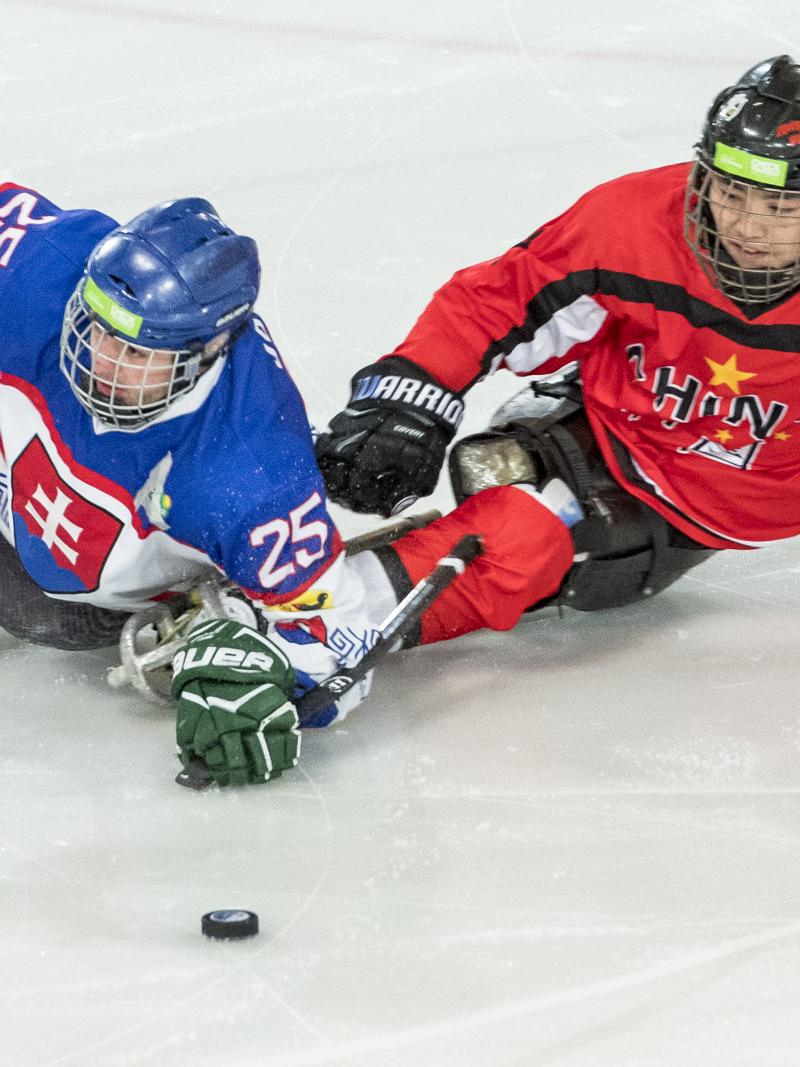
[150, 435]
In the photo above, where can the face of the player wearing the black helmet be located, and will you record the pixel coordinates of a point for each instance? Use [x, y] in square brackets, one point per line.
[759, 229]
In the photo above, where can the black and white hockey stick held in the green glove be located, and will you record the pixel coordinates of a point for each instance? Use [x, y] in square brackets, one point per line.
[395, 626]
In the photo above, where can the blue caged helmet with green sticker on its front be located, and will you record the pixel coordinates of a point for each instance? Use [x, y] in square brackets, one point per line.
[159, 302]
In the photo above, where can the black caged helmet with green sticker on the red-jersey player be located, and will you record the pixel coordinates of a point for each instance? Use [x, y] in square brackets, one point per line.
[750, 140]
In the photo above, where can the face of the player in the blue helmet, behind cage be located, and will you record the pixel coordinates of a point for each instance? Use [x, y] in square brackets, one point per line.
[130, 375]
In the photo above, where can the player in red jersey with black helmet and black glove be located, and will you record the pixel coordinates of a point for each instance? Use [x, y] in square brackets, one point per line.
[661, 318]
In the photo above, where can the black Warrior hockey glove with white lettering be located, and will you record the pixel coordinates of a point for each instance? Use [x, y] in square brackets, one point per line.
[388, 448]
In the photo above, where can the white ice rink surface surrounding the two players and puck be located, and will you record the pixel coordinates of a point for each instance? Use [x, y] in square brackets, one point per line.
[577, 846]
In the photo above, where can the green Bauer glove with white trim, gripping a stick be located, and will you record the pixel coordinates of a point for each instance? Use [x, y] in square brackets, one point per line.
[235, 710]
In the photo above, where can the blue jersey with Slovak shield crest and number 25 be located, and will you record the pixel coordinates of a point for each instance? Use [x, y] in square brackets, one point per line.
[226, 477]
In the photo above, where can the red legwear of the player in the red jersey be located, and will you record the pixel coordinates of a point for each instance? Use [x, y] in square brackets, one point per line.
[527, 552]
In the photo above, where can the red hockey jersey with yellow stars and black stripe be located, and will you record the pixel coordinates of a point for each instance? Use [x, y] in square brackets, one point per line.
[695, 401]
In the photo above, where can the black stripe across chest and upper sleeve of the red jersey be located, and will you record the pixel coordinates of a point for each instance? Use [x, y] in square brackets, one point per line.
[663, 296]
